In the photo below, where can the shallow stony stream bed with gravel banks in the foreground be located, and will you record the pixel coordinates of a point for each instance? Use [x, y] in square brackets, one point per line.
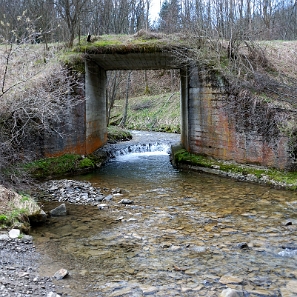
[198, 236]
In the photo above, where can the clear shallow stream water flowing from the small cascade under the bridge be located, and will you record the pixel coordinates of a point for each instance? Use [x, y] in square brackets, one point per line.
[186, 234]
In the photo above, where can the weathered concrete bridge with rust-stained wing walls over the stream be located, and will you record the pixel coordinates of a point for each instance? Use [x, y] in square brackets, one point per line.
[206, 127]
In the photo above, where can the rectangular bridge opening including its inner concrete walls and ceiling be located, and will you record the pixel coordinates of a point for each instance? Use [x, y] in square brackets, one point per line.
[111, 79]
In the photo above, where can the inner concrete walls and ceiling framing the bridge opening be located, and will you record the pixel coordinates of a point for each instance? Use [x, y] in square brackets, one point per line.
[95, 89]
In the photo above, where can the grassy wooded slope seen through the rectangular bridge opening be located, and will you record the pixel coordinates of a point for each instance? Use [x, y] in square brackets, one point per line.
[144, 99]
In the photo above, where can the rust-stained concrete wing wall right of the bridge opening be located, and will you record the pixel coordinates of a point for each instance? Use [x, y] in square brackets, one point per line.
[213, 129]
